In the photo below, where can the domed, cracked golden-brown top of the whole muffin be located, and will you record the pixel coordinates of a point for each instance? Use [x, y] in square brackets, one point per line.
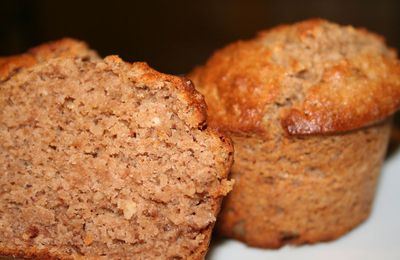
[311, 77]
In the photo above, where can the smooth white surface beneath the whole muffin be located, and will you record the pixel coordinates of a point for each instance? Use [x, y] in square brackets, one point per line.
[377, 238]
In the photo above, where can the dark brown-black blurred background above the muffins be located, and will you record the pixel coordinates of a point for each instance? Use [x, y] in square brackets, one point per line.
[174, 36]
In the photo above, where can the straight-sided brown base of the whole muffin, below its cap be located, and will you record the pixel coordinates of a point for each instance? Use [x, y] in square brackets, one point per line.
[296, 190]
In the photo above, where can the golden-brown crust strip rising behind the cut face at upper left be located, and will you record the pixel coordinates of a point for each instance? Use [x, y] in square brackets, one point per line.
[60, 48]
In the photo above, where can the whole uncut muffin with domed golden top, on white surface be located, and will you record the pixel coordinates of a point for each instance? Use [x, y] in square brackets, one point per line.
[308, 107]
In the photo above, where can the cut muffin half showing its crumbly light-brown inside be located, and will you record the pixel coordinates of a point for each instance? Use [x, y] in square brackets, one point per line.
[102, 159]
